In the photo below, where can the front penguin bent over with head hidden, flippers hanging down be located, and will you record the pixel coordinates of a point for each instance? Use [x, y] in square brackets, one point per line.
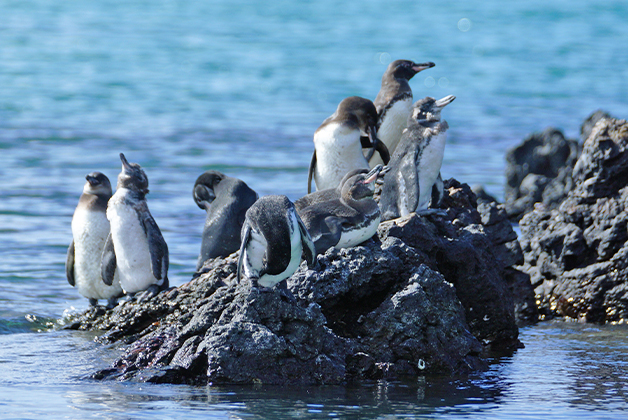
[274, 239]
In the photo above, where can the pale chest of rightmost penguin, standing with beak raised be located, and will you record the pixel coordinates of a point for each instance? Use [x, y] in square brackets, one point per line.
[428, 167]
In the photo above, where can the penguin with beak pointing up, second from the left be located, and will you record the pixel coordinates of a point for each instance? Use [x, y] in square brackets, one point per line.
[135, 245]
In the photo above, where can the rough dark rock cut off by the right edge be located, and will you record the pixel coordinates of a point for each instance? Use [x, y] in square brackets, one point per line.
[577, 254]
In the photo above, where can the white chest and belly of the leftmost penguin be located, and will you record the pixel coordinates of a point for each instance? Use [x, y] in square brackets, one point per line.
[90, 229]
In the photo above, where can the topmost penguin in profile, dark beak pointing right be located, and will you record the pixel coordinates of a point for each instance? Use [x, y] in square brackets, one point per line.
[394, 103]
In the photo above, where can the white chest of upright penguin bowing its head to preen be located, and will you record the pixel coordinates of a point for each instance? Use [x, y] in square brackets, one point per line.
[338, 151]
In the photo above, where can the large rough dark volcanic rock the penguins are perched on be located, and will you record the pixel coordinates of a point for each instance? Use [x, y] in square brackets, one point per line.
[427, 295]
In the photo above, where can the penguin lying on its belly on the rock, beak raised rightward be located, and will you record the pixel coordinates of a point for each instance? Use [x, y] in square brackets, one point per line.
[347, 220]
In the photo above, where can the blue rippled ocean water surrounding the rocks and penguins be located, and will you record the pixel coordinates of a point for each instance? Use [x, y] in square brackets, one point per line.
[240, 86]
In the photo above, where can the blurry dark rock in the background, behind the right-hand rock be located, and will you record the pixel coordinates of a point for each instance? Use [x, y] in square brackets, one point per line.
[539, 171]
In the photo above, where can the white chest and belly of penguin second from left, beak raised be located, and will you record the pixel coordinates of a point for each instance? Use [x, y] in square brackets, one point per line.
[131, 245]
